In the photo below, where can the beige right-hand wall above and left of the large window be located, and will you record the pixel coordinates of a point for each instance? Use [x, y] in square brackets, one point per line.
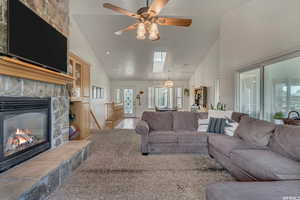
[254, 32]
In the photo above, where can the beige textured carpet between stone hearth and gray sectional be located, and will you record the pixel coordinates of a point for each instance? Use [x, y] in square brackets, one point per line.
[116, 170]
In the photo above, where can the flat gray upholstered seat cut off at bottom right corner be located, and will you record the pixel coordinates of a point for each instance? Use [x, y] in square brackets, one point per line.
[254, 191]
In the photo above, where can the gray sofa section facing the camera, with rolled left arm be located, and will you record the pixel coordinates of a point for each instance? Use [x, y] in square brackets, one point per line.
[173, 132]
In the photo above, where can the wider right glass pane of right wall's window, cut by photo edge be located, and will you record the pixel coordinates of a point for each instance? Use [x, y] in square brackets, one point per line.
[282, 87]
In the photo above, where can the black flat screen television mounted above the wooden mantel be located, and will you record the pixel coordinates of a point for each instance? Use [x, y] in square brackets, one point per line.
[32, 39]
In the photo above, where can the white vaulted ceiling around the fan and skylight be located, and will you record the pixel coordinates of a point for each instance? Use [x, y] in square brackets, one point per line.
[131, 59]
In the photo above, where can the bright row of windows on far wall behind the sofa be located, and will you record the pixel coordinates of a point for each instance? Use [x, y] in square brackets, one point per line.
[165, 97]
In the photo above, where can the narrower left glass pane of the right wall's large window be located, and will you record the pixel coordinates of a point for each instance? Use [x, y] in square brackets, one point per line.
[249, 92]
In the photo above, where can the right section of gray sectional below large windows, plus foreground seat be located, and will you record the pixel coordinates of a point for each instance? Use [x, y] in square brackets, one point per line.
[259, 151]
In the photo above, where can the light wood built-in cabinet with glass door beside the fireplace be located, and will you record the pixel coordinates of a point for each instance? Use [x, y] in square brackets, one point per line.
[80, 94]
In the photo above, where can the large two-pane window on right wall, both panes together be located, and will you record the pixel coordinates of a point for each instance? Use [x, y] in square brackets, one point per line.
[271, 88]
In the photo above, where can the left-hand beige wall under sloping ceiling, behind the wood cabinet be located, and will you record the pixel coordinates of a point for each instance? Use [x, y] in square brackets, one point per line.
[80, 46]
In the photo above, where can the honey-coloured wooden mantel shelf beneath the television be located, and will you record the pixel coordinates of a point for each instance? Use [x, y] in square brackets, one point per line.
[16, 68]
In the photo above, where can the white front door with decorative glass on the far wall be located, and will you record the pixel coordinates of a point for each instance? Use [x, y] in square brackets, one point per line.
[129, 102]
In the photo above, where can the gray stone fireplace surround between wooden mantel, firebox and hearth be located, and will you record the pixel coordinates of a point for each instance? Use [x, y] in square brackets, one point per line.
[18, 87]
